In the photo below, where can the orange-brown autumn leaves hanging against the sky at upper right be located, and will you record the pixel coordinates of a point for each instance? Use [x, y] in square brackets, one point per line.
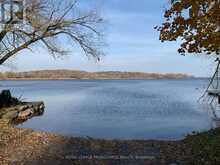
[196, 23]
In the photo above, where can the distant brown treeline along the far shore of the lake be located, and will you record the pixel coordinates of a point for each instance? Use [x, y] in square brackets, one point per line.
[71, 74]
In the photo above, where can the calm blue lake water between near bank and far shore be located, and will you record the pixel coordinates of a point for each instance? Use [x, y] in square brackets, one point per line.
[124, 109]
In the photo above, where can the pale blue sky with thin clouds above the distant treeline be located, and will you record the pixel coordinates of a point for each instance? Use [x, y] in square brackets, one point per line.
[132, 44]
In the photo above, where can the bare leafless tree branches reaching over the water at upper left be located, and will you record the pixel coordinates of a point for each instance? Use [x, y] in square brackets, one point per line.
[48, 21]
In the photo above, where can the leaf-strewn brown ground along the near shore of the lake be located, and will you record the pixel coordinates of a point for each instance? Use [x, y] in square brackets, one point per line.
[25, 146]
